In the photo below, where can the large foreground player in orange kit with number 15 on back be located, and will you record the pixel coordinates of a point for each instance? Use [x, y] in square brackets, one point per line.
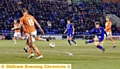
[29, 22]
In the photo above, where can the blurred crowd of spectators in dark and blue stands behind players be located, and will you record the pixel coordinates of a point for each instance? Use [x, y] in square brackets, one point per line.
[52, 16]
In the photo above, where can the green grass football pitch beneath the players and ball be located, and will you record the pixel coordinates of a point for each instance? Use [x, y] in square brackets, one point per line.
[84, 56]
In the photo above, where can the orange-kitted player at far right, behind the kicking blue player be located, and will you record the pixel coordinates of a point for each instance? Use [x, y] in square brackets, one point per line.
[108, 29]
